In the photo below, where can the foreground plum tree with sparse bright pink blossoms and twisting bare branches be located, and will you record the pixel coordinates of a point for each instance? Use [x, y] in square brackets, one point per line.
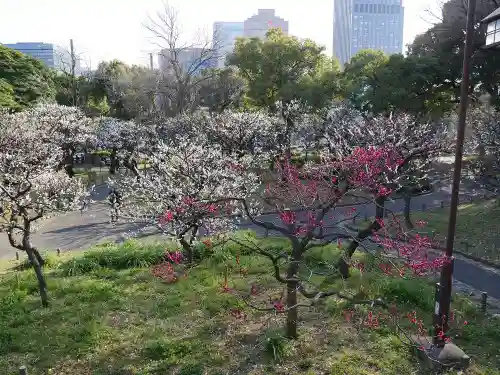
[310, 216]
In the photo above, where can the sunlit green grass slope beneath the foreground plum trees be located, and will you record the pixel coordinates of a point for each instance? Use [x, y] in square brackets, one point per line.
[109, 315]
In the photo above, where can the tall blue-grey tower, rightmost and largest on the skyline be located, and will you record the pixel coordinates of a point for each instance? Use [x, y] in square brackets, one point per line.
[367, 24]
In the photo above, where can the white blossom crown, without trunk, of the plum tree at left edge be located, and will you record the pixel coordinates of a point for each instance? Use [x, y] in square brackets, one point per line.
[30, 152]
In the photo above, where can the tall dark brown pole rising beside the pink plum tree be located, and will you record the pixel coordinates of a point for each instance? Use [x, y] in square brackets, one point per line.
[443, 309]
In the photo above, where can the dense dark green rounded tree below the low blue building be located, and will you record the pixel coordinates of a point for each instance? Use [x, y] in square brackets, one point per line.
[23, 80]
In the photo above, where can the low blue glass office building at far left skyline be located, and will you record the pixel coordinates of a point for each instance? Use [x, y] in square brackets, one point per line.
[52, 55]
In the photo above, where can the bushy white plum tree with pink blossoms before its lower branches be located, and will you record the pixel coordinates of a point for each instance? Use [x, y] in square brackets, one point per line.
[189, 190]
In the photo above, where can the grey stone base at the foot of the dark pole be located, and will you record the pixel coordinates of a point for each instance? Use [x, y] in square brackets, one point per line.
[448, 356]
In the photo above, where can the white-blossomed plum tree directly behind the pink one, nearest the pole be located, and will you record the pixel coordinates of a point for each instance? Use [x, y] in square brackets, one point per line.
[417, 143]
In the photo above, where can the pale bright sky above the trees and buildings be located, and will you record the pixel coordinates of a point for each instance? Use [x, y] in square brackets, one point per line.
[107, 29]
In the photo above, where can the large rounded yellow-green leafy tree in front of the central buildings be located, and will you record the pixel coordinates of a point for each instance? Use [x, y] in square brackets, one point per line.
[285, 75]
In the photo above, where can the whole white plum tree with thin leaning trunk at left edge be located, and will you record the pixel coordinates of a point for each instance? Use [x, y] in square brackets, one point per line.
[31, 188]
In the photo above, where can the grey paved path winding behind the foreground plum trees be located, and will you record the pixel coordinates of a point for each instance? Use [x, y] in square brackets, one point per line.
[79, 231]
